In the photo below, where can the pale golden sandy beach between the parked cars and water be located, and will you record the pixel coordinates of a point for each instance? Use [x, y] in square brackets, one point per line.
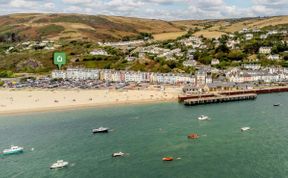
[35, 100]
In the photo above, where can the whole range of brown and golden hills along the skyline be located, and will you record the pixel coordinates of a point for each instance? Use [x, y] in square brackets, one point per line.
[113, 28]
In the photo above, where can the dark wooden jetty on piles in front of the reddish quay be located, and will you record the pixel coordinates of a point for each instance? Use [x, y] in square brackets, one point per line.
[219, 99]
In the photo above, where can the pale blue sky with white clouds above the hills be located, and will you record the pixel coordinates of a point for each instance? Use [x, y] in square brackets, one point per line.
[153, 9]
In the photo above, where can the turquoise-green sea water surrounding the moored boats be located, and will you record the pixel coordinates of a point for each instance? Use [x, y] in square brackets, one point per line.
[148, 133]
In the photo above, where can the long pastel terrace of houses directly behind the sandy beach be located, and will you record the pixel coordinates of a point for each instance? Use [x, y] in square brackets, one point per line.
[130, 76]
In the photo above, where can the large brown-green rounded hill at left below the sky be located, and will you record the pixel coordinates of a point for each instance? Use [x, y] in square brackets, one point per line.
[75, 26]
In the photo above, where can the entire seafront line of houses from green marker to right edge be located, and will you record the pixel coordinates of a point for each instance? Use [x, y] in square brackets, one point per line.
[249, 73]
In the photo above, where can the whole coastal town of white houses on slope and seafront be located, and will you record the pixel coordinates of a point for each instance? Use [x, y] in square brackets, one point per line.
[261, 66]
